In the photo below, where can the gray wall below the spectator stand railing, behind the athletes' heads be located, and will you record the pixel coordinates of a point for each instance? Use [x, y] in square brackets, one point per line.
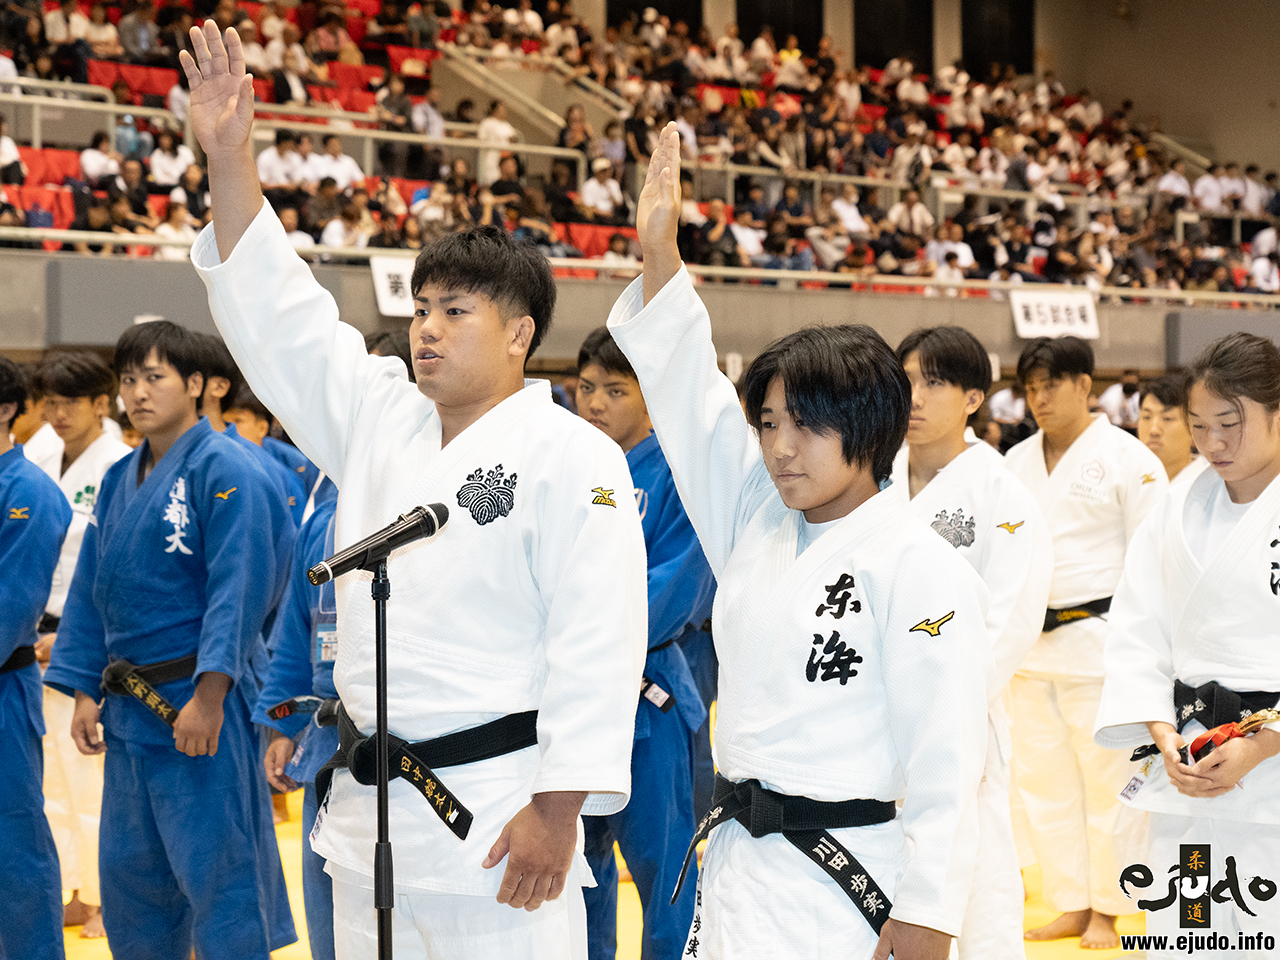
[54, 299]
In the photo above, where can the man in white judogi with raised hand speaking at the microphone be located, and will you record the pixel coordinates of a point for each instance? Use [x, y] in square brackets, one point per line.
[533, 598]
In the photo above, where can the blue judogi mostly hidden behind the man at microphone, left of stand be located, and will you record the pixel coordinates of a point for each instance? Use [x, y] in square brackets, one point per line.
[303, 653]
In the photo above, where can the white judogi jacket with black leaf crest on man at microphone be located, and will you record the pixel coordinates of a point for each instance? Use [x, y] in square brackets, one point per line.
[532, 598]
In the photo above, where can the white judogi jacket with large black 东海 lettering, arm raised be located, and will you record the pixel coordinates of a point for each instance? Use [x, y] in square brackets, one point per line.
[912, 721]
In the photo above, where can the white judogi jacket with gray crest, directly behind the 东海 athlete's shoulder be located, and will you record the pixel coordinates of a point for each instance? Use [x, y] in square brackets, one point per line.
[982, 510]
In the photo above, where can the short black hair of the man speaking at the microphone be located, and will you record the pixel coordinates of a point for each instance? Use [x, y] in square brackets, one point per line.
[488, 262]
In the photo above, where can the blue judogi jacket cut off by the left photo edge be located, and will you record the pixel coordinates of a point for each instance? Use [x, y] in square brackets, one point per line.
[34, 520]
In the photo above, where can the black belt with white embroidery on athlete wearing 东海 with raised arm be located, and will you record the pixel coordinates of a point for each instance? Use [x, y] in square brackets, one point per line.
[808, 825]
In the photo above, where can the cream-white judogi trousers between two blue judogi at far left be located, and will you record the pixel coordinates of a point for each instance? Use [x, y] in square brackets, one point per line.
[74, 799]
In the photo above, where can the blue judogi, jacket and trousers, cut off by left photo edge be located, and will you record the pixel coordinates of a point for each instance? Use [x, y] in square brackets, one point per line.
[34, 520]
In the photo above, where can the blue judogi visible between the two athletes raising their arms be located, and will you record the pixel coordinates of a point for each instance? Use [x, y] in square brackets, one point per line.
[653, 831]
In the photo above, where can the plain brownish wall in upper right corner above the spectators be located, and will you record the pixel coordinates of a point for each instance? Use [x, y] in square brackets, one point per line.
[1205, 70]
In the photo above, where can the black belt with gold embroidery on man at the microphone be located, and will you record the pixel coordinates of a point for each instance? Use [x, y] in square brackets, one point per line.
[415, 762]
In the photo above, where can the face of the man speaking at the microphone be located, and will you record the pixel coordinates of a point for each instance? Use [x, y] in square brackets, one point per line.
[461, 345]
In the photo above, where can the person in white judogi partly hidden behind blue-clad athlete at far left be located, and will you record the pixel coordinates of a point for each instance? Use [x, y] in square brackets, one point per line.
[79, 390]
